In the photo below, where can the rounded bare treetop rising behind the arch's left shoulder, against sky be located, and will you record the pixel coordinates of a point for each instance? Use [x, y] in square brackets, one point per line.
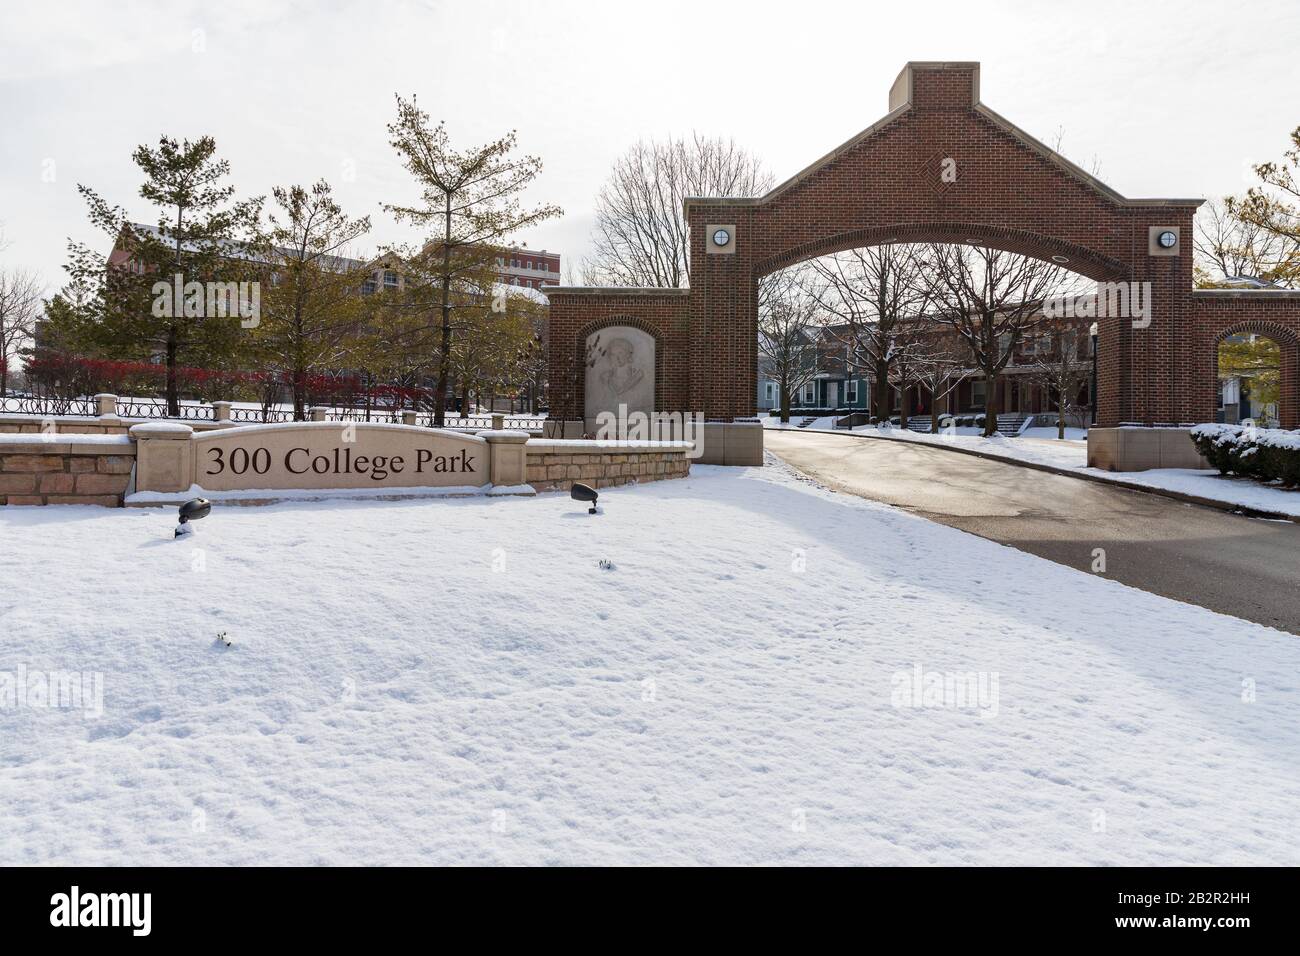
[640, 236]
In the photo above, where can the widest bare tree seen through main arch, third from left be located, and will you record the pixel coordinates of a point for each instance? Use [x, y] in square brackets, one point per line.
[990, 300]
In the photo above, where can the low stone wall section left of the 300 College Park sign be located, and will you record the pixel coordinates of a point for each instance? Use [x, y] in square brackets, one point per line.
[53, 471]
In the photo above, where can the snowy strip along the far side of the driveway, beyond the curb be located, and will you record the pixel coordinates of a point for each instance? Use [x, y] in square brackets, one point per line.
[1042, 447]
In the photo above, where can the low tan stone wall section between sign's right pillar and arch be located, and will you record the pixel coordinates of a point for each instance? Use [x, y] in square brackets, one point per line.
[554, 466]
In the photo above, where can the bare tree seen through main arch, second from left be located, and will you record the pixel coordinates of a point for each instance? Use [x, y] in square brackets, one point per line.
[876, 293]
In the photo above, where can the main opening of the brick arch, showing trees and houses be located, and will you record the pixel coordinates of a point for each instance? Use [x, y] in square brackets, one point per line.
[970, 338]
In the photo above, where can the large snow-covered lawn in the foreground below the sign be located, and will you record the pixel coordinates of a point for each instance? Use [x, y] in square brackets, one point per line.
[460, 681]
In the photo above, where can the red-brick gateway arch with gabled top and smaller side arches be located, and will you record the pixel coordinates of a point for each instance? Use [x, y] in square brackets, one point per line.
[939, 167]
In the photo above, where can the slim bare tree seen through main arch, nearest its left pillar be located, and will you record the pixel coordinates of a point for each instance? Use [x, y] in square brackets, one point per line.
[788, 318]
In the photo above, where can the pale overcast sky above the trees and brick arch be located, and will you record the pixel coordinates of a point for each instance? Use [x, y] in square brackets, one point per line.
[1173, 100]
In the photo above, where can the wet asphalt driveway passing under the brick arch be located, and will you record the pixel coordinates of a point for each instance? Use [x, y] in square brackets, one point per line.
[1241, 566]
